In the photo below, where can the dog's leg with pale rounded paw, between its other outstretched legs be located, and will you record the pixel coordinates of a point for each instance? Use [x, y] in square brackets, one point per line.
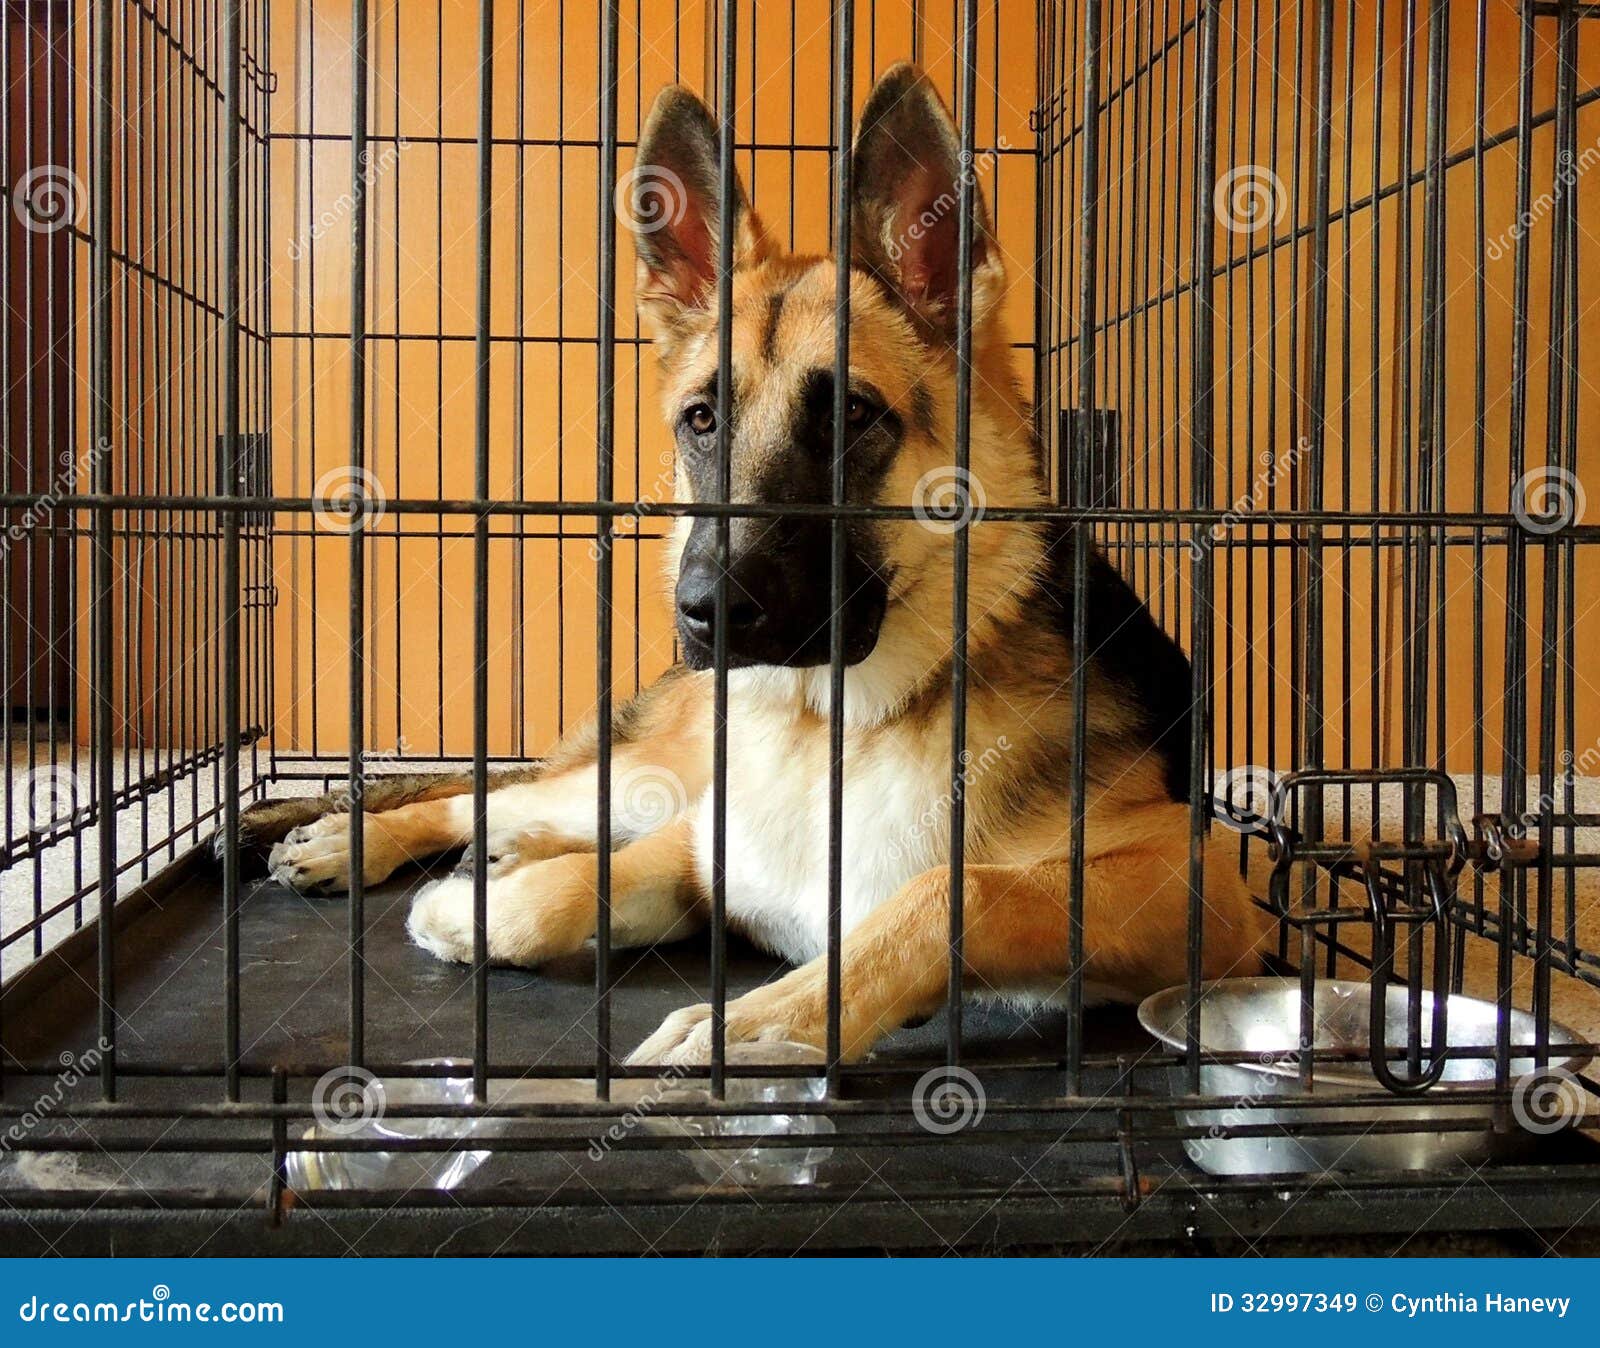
[548, 909]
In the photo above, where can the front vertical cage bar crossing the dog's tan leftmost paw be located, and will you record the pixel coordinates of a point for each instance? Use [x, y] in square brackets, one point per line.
[358, 622]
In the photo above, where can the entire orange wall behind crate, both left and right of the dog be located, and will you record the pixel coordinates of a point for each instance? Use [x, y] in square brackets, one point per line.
[545, 249]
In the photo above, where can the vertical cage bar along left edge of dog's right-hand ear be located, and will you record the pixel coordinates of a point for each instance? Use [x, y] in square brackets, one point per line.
[844, 179]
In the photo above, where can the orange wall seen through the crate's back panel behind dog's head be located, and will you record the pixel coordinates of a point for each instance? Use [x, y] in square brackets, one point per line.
[423, 255]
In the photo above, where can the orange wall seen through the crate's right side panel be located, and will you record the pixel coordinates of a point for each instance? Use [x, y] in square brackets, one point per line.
[1266, 351]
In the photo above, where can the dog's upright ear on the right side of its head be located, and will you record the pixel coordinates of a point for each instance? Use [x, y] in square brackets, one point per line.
[905, 219]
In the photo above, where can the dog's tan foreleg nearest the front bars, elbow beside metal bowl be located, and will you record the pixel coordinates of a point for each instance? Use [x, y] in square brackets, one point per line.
[895, 963]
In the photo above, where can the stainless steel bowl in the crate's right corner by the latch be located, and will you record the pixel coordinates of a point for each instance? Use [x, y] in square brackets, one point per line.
[1263, 1017]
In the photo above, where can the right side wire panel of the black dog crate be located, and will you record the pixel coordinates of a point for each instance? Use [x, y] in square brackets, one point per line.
[1393, 321]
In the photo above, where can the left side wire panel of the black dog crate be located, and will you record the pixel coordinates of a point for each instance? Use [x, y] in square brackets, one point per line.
[114, 383]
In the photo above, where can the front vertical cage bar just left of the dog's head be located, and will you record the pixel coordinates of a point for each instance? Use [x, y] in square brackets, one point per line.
[606, 454]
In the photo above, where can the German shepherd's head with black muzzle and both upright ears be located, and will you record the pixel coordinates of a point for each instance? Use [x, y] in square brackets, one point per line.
[902, 399]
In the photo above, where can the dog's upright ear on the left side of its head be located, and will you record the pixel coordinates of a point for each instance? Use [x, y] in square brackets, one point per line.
[674, 211]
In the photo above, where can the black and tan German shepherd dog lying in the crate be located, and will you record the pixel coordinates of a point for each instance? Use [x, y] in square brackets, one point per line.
[897, 625]
